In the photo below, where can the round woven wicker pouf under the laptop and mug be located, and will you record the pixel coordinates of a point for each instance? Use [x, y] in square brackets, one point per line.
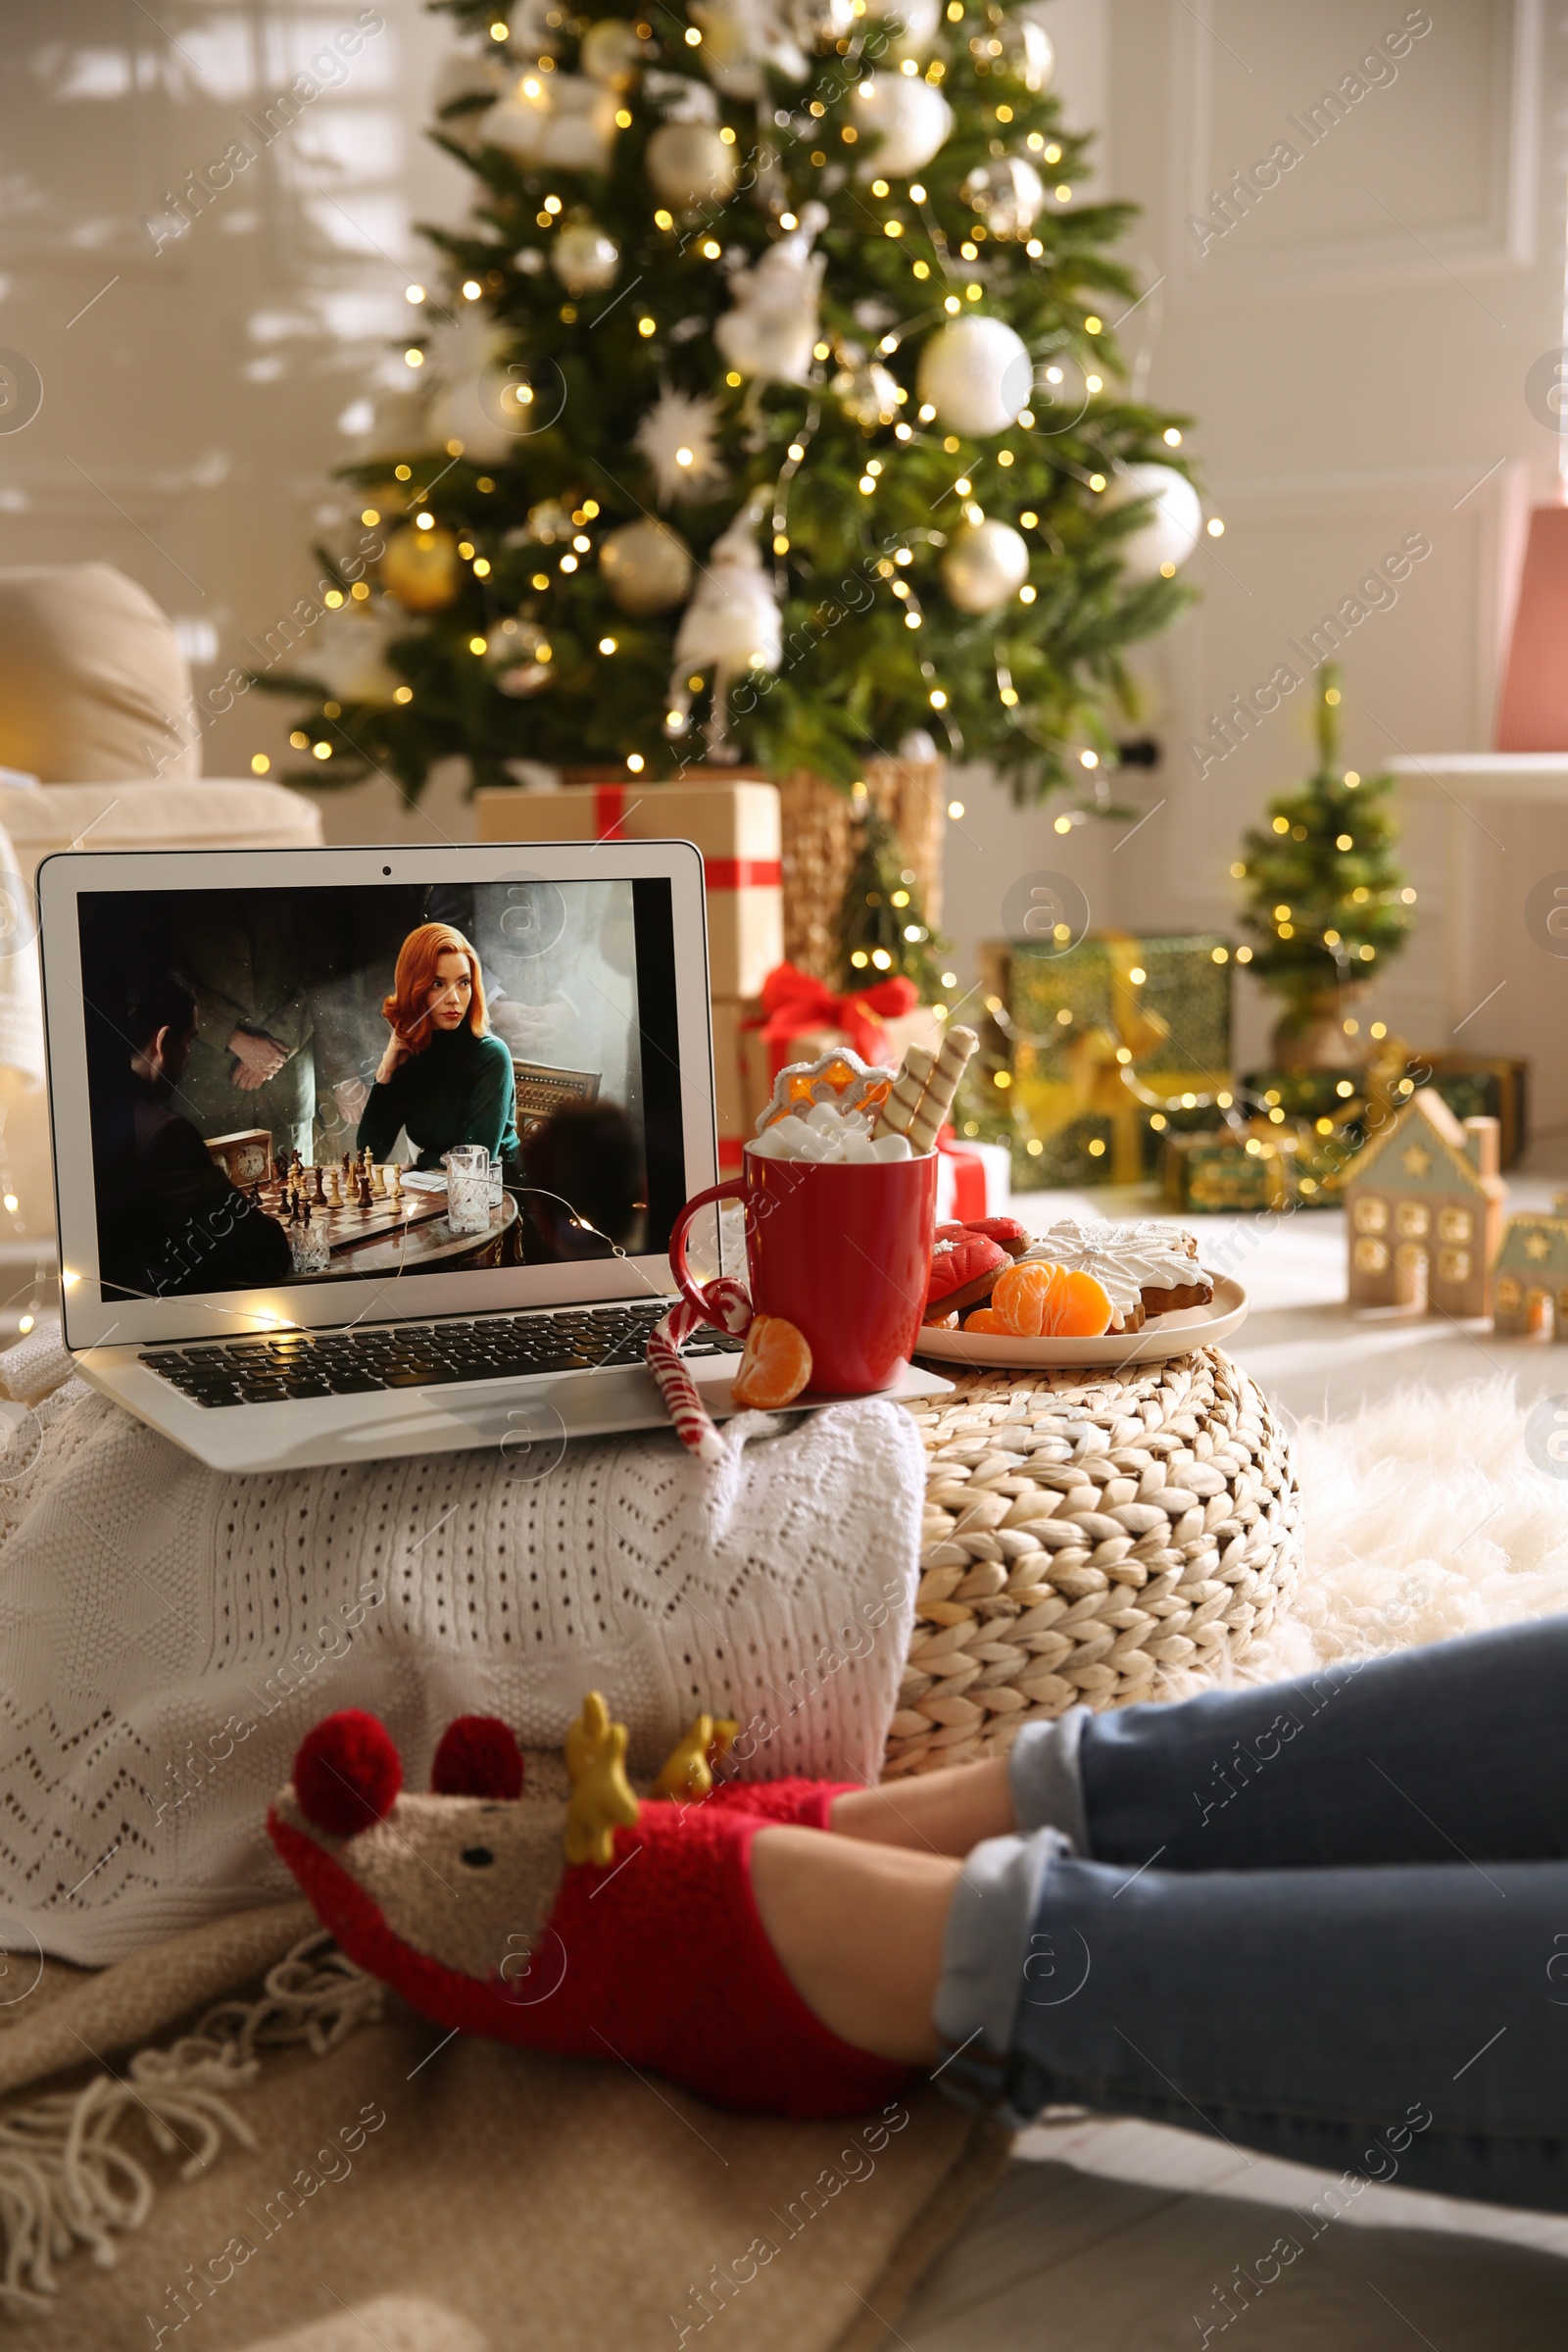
[1090, 1539]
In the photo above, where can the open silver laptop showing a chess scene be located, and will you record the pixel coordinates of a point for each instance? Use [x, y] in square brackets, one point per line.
[377, 1151]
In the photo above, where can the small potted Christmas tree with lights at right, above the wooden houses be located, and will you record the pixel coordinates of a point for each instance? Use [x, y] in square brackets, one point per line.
[1327, 897]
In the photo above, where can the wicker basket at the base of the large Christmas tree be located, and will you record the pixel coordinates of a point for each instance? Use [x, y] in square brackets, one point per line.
[819, 846]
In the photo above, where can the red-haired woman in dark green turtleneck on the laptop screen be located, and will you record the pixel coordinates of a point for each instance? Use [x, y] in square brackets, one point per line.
[443, 1076]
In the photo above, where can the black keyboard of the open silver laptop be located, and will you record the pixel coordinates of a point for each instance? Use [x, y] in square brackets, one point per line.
[351, 1363]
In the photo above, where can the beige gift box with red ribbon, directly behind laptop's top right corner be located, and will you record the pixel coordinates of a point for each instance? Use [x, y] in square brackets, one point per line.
[732, 824]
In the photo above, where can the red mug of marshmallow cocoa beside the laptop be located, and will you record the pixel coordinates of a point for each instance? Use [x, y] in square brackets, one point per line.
[843, 1250]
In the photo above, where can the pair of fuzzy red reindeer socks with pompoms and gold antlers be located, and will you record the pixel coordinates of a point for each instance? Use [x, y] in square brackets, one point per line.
[544, 1902]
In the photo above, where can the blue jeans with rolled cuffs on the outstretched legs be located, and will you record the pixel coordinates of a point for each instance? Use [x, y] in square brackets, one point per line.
[1322, 1918]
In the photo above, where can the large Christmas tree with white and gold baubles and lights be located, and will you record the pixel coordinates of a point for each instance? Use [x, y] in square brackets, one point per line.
[772, 410]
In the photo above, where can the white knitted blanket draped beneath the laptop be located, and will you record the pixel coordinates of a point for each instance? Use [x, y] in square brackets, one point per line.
[168, 1633]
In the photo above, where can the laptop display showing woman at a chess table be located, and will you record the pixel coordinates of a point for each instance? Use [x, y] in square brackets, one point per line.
[311, 1085]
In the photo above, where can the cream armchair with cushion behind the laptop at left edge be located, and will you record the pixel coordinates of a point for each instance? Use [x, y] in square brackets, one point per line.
[95, 702]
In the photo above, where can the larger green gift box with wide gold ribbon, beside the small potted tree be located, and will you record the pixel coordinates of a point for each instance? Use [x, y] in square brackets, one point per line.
[1106, 1034]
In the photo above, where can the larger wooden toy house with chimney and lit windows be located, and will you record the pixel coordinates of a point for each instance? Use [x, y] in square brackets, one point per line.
[1423, 1205]
